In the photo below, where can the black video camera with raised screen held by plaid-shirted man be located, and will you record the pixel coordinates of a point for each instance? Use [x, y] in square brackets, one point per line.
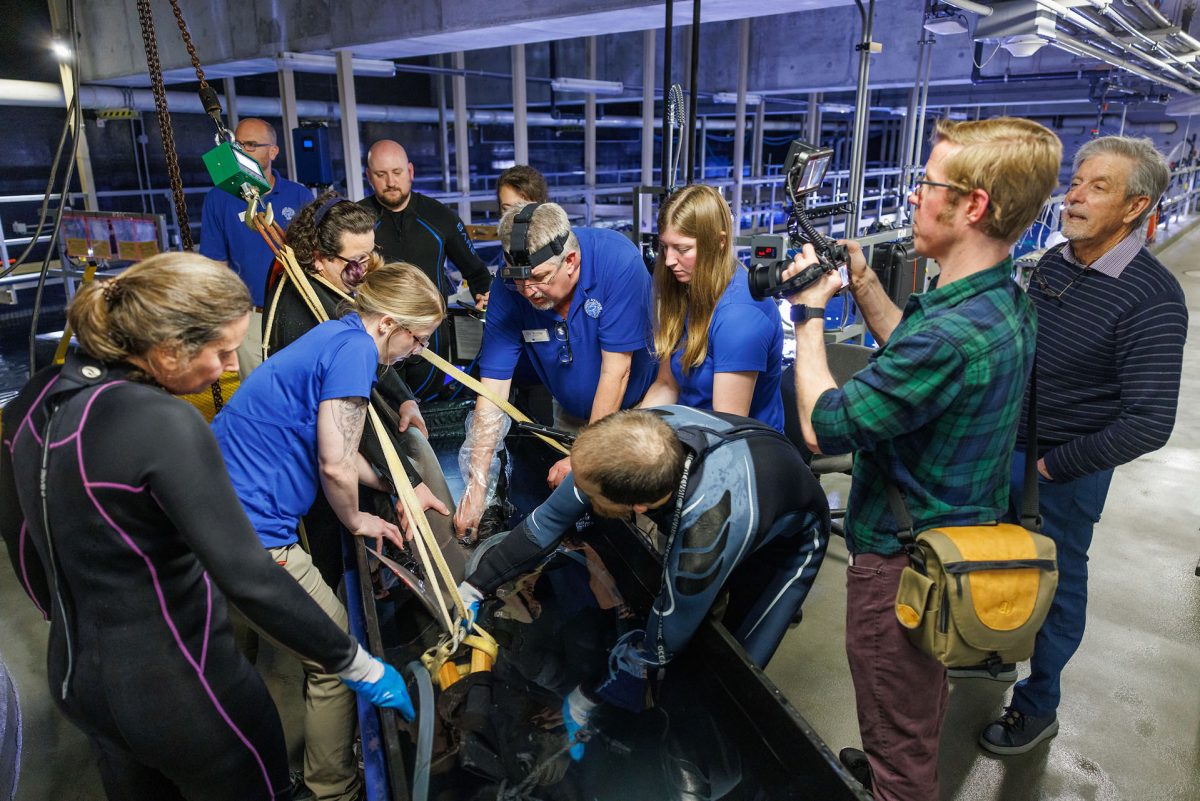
[771, 255]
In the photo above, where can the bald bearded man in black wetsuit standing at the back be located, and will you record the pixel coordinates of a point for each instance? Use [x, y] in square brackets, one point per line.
[418, 230]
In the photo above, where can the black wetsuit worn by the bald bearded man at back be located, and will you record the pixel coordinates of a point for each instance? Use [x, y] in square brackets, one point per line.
[427, 234]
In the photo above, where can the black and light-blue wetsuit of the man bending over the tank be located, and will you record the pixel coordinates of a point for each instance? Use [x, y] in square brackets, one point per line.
[753, 521]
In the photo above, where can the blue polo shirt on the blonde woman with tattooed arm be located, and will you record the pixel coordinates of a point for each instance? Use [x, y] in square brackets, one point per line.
[268, 430]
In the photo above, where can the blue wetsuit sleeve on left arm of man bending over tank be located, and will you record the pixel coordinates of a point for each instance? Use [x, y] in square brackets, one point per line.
[533, 540]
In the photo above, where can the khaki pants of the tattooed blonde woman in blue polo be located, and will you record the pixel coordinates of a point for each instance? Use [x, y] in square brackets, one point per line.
[331, 710]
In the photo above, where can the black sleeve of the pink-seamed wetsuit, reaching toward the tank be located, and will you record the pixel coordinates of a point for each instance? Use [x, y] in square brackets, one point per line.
[199, 498]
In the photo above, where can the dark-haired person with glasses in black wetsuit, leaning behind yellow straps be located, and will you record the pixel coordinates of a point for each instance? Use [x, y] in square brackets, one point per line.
[334, 243]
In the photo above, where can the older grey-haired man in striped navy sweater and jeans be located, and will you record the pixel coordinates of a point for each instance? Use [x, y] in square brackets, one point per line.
[1112, 326]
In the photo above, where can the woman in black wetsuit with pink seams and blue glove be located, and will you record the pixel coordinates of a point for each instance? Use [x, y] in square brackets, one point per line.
[127, 534]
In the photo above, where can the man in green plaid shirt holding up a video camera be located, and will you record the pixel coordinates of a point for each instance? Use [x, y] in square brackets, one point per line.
[935, 411]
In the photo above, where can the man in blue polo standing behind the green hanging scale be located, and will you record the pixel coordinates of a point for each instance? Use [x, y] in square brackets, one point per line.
[225, 237]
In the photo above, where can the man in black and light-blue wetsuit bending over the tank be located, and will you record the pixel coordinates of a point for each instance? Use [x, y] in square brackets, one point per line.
[739, 508]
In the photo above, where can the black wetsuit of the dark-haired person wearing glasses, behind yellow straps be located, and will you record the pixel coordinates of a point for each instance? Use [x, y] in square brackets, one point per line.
[291, 321]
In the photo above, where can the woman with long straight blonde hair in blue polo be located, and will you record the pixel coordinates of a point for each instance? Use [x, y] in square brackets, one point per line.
[718, 348]
